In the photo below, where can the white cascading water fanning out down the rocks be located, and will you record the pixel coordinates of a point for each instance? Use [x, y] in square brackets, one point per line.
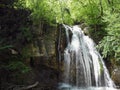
[83, 65]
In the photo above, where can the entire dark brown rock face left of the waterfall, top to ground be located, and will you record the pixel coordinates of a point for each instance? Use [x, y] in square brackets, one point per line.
[43, 59]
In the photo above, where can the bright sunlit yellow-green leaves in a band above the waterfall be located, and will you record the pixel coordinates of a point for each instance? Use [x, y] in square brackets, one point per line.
[65, 11]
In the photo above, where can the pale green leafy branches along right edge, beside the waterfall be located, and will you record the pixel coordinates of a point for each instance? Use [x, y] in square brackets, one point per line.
[110, 45]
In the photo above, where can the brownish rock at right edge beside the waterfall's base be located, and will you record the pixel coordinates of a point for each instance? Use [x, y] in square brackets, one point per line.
[116, 76]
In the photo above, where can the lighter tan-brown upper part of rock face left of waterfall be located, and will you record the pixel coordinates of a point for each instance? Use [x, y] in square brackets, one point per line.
[44, 43]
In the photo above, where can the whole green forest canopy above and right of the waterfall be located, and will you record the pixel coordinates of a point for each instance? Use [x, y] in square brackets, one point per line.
[101, 15]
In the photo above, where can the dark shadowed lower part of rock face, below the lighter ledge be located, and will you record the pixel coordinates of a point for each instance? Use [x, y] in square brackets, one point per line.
[45, 72]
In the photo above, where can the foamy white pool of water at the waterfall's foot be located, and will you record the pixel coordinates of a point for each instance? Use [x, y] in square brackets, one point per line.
[63, 86]
